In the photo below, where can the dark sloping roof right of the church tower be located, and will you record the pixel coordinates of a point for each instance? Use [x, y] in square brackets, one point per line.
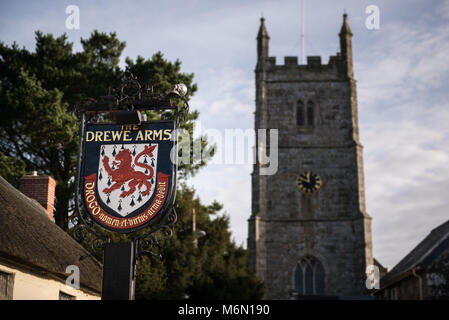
[422, 255]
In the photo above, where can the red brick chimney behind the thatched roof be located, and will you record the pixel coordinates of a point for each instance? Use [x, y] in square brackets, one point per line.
[40, 188]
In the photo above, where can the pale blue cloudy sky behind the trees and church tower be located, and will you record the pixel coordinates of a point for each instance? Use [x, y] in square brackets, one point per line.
[402, 73]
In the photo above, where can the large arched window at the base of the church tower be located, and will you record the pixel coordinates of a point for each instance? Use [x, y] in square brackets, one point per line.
[309, 277]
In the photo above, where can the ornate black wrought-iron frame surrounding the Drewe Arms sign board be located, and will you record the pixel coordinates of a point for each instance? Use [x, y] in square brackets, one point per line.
[88, 112]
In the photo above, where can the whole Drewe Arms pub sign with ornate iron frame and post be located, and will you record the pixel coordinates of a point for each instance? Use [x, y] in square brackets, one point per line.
[126, 178]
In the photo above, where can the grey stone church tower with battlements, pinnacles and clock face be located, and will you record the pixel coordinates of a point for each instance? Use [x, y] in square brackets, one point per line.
[309, 233]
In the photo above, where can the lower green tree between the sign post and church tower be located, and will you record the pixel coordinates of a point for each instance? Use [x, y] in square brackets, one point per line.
[215, 268]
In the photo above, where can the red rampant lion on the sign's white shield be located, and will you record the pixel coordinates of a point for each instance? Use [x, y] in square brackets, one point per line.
[125, 172]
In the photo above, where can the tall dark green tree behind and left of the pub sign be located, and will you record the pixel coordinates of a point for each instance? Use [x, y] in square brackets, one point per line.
[38, 90]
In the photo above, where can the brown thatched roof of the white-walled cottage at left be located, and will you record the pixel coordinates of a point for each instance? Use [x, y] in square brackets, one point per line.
[29, 238]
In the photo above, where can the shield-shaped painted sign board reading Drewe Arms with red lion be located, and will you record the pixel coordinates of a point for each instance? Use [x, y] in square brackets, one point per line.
[127, 173]
